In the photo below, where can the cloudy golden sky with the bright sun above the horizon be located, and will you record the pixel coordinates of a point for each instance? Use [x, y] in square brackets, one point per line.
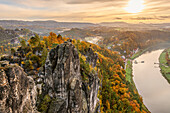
[95, 11]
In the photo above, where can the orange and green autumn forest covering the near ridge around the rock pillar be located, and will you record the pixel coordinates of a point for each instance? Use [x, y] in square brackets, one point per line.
[116, 93]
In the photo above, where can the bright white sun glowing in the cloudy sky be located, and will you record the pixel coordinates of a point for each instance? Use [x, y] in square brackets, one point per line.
[135, 6]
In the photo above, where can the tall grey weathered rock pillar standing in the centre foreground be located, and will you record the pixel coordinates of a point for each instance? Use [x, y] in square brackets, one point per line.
[64, 83]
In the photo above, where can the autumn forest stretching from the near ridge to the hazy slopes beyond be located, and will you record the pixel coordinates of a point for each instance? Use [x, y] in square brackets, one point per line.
[117, 92]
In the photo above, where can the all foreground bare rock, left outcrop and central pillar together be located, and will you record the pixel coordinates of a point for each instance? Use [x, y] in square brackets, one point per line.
[59, 88]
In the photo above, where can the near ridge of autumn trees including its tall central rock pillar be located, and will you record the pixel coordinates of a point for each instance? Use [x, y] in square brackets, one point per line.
[71, 71]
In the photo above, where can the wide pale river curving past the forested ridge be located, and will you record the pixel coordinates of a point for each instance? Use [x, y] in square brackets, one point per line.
[150, 83]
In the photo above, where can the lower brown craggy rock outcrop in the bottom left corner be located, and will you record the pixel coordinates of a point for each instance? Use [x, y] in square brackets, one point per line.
[17, 90]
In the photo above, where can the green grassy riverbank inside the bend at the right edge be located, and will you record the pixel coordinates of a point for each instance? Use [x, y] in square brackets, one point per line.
[165, 68]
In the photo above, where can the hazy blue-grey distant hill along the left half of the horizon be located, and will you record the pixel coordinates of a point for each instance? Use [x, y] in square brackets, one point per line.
[43, 26]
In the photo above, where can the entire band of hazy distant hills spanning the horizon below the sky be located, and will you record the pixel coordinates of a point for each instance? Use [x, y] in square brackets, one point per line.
[44, 27]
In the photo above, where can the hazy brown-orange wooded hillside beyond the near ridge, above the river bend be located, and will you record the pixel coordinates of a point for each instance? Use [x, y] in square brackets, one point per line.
[124, 41]
